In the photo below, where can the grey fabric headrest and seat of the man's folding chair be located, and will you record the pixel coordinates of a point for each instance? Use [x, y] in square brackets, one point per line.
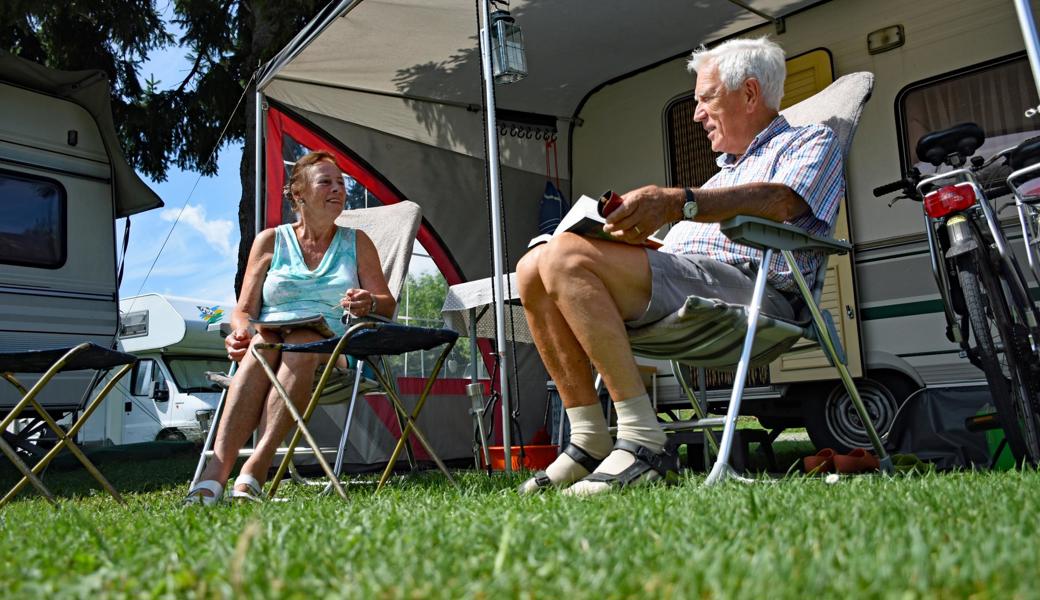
[711, 333]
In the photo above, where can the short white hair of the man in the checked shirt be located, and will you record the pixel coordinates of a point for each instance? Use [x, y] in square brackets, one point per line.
[739, 61]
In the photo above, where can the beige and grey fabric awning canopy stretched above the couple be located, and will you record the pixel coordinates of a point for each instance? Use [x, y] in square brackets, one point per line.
[398, 84]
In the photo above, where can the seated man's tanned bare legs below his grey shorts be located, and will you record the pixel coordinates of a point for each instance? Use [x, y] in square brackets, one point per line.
[578, 294]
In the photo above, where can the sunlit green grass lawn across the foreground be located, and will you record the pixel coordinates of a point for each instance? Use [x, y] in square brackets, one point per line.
[937, 536]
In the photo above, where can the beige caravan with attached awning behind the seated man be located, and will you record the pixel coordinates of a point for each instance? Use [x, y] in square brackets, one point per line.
[607, 103]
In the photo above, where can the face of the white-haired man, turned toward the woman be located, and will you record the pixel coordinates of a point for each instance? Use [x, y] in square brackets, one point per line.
[725, 115]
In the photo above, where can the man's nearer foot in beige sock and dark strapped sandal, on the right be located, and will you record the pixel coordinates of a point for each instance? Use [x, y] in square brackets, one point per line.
[630, 464]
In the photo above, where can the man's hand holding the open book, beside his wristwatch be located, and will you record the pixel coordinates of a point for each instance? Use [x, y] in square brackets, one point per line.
[644, 212]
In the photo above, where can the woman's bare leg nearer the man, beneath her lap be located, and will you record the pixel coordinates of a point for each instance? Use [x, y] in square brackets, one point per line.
[297, 375]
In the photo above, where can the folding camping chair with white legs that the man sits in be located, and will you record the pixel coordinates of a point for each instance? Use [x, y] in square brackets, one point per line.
[710, 333]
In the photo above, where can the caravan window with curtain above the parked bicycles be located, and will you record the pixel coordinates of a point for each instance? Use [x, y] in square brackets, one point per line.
[995, 95]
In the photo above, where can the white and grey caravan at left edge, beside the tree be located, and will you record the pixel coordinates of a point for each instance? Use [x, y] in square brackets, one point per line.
[64, 182]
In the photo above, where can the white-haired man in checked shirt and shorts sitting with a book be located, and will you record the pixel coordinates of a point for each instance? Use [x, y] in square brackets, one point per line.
[582, 294]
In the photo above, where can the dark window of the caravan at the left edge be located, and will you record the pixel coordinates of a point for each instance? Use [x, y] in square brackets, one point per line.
[33, 231]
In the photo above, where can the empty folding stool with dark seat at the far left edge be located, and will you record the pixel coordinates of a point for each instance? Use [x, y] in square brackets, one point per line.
[50, 362]
